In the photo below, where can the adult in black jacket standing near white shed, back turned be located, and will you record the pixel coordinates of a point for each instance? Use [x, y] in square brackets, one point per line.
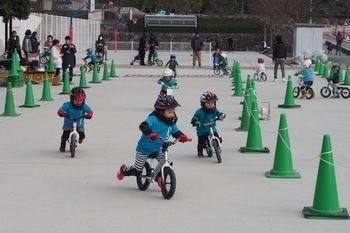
[279, 56]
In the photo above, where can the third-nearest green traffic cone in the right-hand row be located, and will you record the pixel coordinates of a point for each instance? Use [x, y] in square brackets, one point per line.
[254, 142]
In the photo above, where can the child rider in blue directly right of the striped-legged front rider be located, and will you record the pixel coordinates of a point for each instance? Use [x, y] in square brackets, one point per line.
[203, 115]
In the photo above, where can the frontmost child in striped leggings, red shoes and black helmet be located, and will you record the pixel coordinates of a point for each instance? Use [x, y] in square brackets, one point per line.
[160, 123]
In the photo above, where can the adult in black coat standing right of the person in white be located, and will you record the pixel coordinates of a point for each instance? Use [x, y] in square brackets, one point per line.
[68, 51]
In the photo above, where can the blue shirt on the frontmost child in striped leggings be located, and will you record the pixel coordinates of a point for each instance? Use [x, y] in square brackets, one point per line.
[145, 145]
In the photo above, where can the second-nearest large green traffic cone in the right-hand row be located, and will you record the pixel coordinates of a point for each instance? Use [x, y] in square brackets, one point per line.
[283, 165]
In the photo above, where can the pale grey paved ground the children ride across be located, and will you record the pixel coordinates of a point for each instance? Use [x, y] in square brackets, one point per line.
[47, 191]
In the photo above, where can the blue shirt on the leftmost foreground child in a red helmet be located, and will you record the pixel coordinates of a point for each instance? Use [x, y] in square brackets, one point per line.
[72, 112]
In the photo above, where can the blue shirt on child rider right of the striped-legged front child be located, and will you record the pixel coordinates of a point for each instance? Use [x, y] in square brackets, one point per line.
[204, 116]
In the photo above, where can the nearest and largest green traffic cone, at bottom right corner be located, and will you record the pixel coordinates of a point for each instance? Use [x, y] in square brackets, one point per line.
[326, 203]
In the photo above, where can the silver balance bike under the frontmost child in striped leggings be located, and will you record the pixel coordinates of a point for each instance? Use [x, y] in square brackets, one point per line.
[164, 167]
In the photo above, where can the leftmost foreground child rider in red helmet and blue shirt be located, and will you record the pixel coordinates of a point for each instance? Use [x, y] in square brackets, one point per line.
[75, 108]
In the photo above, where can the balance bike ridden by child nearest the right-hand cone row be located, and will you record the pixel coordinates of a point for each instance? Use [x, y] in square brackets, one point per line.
[213, 144]
